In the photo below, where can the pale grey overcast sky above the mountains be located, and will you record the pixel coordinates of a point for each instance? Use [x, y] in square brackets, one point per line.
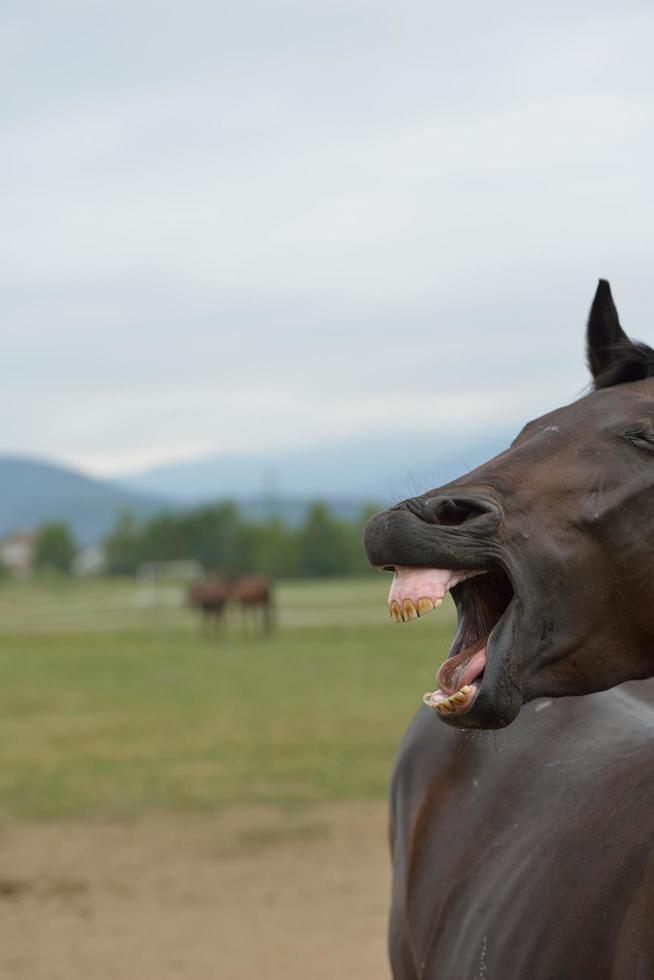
[236, 226]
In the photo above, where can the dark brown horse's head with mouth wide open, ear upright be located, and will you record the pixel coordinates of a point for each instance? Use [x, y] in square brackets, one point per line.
[547, 549]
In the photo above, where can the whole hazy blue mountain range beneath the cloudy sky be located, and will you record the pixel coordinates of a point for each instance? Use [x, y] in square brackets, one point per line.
[344, 474]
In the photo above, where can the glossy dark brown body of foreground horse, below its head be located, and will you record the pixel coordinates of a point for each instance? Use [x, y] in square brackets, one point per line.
[527, 853]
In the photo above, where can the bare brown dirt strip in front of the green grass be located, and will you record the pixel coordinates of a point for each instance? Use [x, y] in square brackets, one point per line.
[243, 894]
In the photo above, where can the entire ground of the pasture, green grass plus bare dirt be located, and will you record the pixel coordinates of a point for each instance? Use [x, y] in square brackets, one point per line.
[173, 806]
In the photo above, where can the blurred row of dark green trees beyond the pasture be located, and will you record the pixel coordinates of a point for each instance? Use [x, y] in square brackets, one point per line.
[219, 538]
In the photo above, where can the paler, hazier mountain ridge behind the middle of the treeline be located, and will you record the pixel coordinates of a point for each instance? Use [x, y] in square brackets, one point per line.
[381, 469]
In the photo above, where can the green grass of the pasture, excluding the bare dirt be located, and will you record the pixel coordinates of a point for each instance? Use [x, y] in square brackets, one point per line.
[109, 707]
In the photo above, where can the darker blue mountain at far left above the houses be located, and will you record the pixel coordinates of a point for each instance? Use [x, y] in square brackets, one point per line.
[34, 492]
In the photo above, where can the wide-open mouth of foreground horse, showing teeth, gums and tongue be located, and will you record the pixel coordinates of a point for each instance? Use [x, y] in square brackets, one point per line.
[481, 598]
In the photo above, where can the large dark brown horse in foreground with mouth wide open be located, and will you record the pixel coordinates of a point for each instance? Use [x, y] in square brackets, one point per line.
[522, 818]
